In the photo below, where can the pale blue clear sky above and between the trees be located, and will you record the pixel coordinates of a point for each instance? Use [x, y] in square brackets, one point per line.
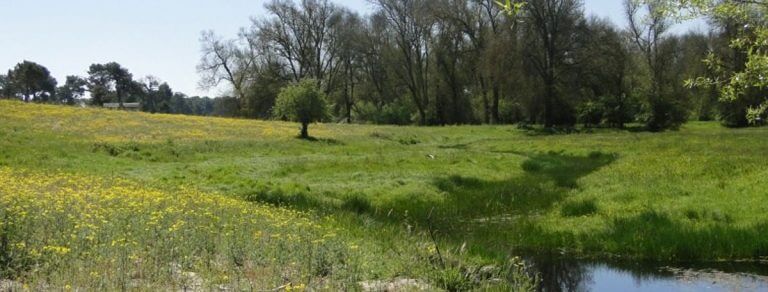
[150, 37]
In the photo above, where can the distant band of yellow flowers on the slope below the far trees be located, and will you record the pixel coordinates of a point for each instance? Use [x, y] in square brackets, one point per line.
[119, 126]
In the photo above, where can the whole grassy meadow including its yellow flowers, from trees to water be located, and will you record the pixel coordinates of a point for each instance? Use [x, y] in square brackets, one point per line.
[100, 199]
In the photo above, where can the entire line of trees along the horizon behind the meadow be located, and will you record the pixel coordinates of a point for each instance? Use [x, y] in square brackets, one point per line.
[446, 62]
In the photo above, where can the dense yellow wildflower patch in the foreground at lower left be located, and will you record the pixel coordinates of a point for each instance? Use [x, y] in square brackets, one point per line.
[69, 227]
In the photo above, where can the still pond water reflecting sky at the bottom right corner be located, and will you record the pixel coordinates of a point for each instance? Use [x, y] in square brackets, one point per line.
[572, 275]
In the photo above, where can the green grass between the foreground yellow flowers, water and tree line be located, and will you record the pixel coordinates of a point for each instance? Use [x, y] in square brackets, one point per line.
[490, 192]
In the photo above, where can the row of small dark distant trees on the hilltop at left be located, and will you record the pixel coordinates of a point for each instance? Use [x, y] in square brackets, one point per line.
[107, 83]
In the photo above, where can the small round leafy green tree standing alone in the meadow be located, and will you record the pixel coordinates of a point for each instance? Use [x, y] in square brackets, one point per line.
[303, 102]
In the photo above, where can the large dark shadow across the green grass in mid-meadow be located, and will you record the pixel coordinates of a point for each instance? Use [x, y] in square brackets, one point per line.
[546, 179]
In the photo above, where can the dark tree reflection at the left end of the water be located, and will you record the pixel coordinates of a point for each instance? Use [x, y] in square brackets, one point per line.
[560, 274]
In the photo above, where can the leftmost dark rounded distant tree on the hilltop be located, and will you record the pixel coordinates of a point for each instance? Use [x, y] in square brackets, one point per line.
[32, 82]
